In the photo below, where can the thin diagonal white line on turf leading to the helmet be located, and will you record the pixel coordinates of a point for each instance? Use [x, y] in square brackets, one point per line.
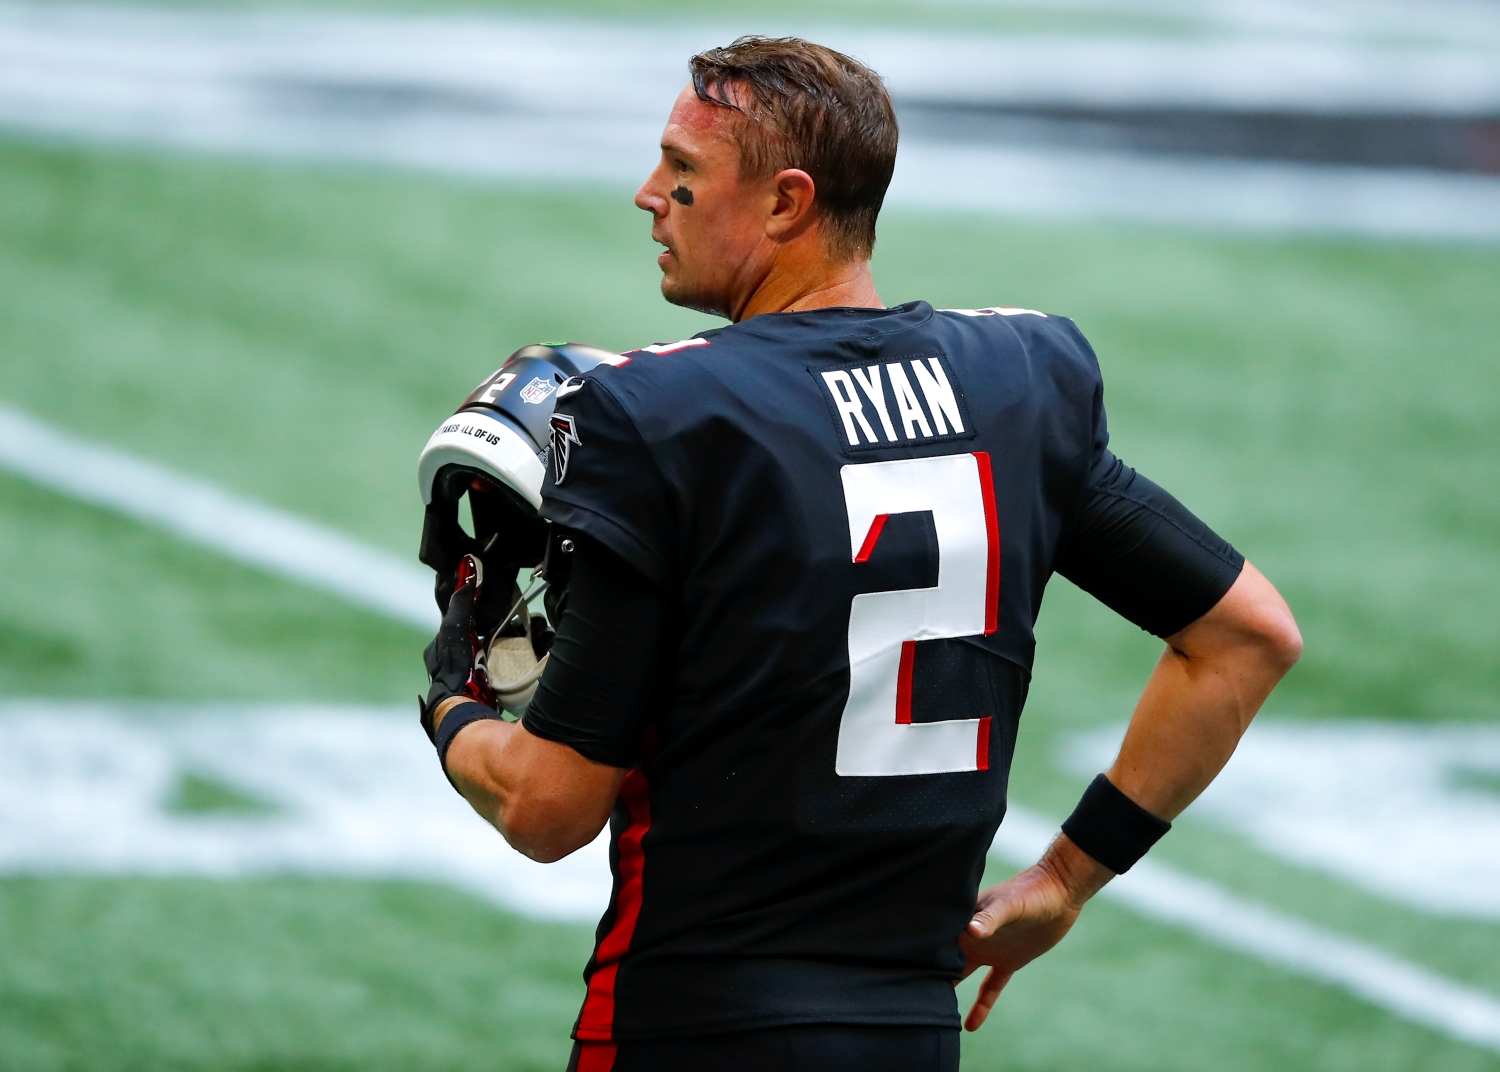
[203, 514]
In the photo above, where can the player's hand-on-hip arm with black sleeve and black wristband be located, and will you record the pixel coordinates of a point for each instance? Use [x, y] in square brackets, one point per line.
[1151, 560]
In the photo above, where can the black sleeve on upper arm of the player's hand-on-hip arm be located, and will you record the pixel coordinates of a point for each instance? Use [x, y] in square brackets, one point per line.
[1145, 555]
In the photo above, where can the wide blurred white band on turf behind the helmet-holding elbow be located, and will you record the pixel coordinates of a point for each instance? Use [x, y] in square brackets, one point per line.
[355, 792]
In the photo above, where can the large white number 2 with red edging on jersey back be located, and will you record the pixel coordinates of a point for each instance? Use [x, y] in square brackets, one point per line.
[878, 735]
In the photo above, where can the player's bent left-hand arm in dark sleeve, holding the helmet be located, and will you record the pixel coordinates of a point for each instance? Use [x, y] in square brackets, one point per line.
[550, 783]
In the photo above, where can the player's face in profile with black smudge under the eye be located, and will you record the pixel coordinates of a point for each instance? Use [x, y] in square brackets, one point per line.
[710, 223]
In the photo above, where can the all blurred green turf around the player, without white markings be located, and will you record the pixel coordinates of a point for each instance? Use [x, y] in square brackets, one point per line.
[293, 332]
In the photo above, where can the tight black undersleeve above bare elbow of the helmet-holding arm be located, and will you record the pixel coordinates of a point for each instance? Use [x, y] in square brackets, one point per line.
[598, 693]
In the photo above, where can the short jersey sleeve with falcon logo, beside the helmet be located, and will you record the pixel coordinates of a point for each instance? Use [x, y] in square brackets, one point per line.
[604, 481]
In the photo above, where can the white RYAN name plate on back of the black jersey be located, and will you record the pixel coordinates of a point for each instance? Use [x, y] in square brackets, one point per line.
[911, 401]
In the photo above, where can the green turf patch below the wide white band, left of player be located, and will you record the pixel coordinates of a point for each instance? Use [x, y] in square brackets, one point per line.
[128, 975]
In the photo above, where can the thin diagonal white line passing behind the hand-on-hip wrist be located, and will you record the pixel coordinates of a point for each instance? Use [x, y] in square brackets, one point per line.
[1211, 912]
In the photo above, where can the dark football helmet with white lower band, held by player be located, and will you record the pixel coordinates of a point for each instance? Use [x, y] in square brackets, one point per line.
[494, 452]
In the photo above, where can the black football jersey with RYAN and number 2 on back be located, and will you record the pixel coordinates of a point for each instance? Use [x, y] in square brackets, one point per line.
[854, 515]
